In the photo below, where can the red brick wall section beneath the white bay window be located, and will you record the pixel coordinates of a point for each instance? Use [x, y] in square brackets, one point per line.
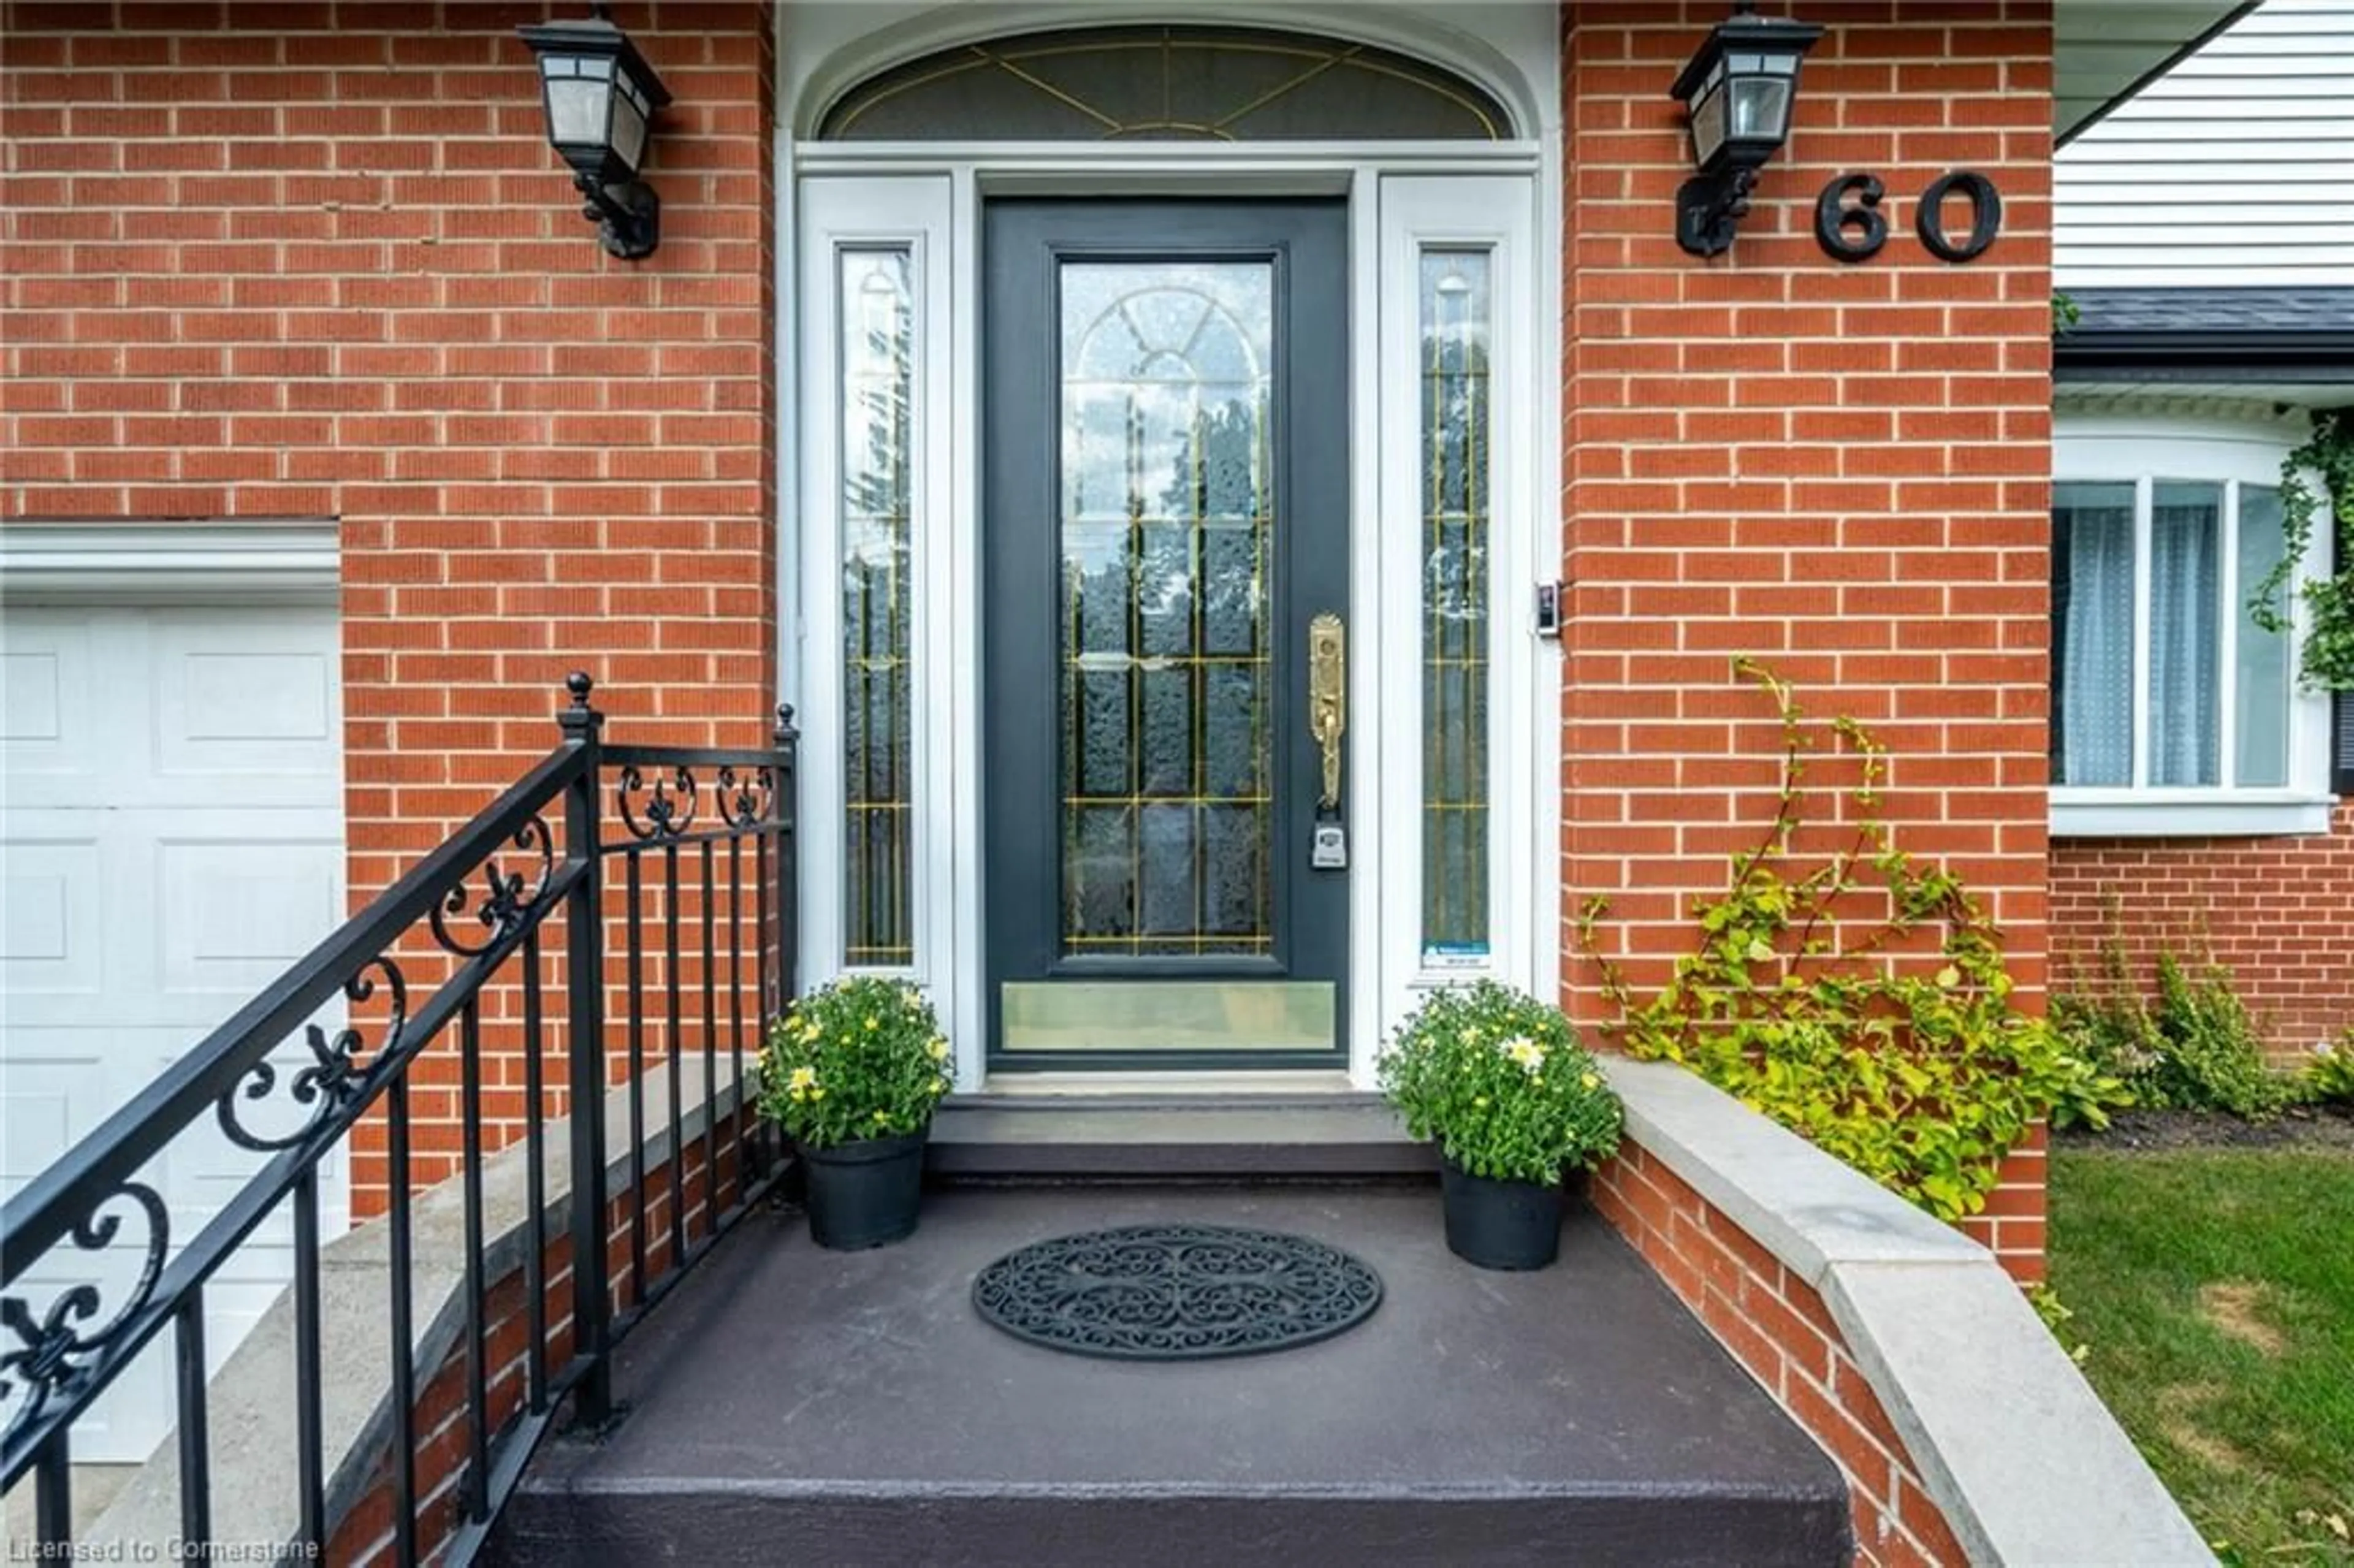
[2277, 912]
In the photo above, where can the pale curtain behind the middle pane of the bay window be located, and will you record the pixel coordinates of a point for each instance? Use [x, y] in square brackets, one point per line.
[2186, 634]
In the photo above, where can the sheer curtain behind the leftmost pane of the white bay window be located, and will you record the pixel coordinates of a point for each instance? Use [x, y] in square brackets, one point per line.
[2094, 632]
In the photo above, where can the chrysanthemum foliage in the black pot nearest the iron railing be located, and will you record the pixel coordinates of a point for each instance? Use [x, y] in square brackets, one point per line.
[853, 1061]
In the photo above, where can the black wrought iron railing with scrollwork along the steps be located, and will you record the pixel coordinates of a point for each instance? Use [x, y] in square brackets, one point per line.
[498, 950]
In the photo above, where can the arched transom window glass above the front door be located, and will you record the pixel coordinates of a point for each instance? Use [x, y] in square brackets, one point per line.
[1166, 84]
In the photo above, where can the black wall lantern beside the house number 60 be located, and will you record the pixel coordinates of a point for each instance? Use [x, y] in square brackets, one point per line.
[1738, 93]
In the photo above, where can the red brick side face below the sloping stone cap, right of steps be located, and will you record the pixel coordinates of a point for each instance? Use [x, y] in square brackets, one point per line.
[1778, 1329]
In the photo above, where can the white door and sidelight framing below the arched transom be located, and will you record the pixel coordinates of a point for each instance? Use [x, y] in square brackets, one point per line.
[936, 211]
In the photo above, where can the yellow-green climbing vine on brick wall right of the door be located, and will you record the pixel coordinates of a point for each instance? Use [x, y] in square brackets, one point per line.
[1856, 995]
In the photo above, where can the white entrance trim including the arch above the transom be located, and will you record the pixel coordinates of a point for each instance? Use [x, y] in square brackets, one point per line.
[1522, 67]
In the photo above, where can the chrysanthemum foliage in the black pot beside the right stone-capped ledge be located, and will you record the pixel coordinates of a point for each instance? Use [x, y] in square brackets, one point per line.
[1503, 1087]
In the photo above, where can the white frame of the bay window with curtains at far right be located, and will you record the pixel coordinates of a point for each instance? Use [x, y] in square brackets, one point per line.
[2148, 449]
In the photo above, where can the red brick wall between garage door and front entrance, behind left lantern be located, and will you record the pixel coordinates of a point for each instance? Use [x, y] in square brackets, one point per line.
[319, 263]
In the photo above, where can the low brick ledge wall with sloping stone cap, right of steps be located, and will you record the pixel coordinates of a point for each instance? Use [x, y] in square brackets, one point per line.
[1896, 1343]
